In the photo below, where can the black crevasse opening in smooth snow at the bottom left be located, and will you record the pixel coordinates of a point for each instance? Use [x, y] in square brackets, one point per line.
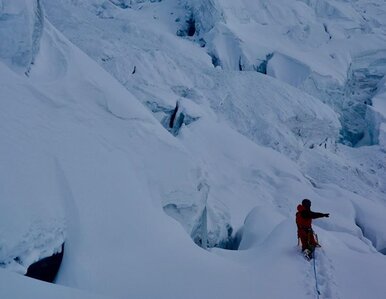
[47, 268]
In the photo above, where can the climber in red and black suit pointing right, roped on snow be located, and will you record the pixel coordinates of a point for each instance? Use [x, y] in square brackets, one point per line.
[304, 218]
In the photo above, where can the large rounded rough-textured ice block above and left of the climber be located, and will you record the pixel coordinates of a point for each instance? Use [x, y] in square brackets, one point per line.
[279, 116]
